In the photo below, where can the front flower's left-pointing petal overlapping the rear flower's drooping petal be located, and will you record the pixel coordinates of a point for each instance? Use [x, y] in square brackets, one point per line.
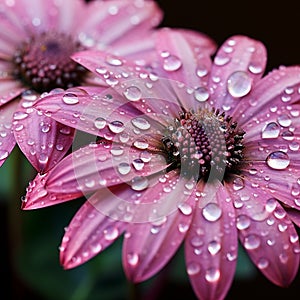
[101, 112]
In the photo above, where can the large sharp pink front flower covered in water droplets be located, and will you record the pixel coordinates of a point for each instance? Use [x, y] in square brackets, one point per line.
[186, 151]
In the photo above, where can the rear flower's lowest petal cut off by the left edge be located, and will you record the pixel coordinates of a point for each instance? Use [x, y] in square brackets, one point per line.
[7, 139]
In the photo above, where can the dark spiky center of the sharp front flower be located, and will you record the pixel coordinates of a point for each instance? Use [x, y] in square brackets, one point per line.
[204, 144]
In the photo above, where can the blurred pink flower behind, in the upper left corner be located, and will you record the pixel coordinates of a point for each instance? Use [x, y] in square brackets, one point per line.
[36, 41]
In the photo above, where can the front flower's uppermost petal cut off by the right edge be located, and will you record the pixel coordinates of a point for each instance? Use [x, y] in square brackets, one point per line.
[270, 93]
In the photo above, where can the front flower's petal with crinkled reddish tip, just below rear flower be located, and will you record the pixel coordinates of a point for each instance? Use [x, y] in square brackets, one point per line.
[90, 168]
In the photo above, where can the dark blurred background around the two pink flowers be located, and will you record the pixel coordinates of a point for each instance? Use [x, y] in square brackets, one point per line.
[29, 240]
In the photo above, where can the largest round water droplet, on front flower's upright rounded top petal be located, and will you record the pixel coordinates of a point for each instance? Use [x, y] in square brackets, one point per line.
[239, 84]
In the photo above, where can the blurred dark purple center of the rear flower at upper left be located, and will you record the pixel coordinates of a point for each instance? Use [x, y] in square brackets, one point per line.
[43, 62]
